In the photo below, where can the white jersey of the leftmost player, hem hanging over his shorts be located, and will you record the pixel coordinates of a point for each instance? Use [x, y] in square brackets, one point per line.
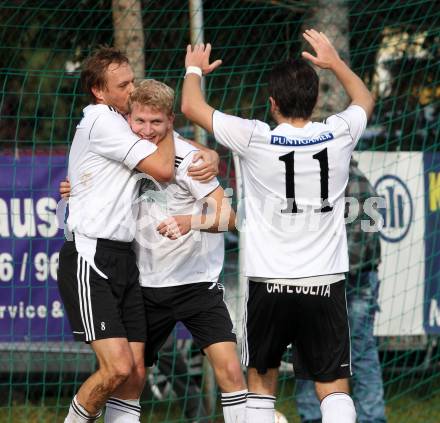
[104, 184]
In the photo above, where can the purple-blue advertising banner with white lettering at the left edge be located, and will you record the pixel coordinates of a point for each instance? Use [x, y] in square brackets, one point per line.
[30, 306]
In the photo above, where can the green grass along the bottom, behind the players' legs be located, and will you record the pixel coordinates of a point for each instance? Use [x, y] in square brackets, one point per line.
[420, 405]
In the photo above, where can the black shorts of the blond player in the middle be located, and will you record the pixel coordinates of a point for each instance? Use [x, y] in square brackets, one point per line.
[199, 306]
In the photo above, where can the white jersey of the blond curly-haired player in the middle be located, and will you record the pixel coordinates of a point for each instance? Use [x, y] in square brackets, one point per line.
[195, 257]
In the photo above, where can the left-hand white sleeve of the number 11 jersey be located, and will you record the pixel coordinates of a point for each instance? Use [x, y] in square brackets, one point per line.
[233, 132]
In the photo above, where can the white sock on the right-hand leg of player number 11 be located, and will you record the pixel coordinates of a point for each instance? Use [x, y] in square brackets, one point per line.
[338, 408]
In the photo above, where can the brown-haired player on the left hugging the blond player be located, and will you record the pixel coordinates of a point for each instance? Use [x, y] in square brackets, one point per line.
[98, 276]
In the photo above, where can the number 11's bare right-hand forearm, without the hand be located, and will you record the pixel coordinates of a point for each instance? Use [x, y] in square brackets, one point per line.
[354, 86]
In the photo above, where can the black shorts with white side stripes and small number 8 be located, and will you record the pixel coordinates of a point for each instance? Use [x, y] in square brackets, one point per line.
[100, 308]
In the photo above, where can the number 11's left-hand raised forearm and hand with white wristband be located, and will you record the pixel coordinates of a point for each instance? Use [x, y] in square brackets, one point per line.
[194, 106]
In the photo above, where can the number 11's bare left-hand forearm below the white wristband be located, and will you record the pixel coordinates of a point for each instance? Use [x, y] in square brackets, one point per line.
[194, 106]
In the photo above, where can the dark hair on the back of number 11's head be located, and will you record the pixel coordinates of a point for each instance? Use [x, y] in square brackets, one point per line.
[294, 86]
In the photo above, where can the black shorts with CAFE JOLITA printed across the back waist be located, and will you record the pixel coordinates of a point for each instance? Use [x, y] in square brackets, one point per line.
[313, 319]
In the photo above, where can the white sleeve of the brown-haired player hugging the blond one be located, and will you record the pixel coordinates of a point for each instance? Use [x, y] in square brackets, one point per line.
[112, 137]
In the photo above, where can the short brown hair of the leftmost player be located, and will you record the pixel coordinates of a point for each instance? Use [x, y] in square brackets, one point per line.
[95, 66]
